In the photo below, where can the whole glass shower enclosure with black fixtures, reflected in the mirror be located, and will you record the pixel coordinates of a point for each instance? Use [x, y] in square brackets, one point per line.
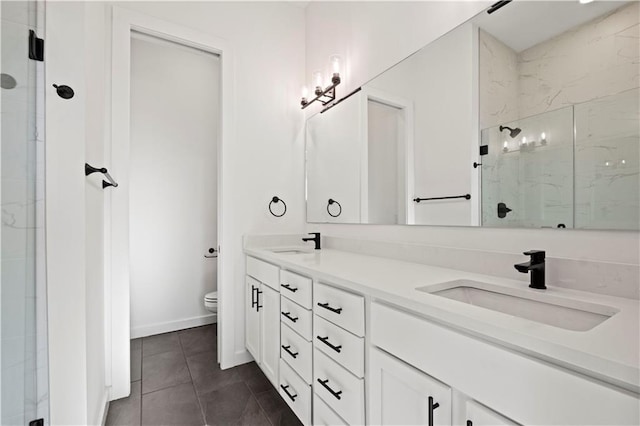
[574, 167]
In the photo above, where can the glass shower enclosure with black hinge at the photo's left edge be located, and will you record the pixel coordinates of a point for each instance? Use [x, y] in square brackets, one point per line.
[23, 344]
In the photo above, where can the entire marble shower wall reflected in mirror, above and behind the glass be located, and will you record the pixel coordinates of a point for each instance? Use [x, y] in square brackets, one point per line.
[593, 72]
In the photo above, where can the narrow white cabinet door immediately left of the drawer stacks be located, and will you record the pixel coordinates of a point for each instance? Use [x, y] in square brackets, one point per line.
[269, 303]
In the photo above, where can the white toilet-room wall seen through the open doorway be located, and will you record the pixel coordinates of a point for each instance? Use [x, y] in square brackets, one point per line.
[175, 110]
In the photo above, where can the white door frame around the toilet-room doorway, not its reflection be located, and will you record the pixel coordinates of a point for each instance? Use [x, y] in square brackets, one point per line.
[117, 156]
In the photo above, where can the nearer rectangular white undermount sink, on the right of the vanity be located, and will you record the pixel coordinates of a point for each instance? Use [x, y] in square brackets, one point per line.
[561, 312]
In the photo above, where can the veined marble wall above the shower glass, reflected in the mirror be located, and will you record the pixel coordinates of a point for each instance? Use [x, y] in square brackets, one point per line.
[591, 61]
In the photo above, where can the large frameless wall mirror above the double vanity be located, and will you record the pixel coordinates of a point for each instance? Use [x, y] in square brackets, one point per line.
[525, 117]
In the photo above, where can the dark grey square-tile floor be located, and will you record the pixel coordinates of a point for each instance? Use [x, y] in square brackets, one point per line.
[176, 380]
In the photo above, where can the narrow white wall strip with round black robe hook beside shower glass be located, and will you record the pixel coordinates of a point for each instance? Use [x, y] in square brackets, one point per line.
[65, 214]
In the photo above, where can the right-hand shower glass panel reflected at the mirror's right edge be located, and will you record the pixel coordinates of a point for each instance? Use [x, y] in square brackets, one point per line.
[607, 156]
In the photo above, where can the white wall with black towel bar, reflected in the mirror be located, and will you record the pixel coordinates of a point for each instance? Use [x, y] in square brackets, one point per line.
[438, 81]
